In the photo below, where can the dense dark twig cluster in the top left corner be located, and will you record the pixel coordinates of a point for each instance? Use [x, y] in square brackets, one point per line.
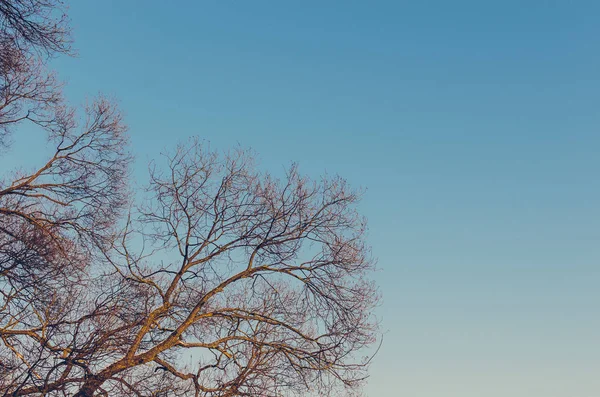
[30, 32]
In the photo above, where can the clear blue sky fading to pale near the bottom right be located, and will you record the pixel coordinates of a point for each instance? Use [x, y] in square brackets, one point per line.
[473, 125]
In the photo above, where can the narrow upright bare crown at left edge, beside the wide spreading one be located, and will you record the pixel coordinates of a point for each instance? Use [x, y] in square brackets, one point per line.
[54, 223]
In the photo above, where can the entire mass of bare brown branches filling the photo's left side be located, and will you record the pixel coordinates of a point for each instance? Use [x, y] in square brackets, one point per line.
[220, 280]
